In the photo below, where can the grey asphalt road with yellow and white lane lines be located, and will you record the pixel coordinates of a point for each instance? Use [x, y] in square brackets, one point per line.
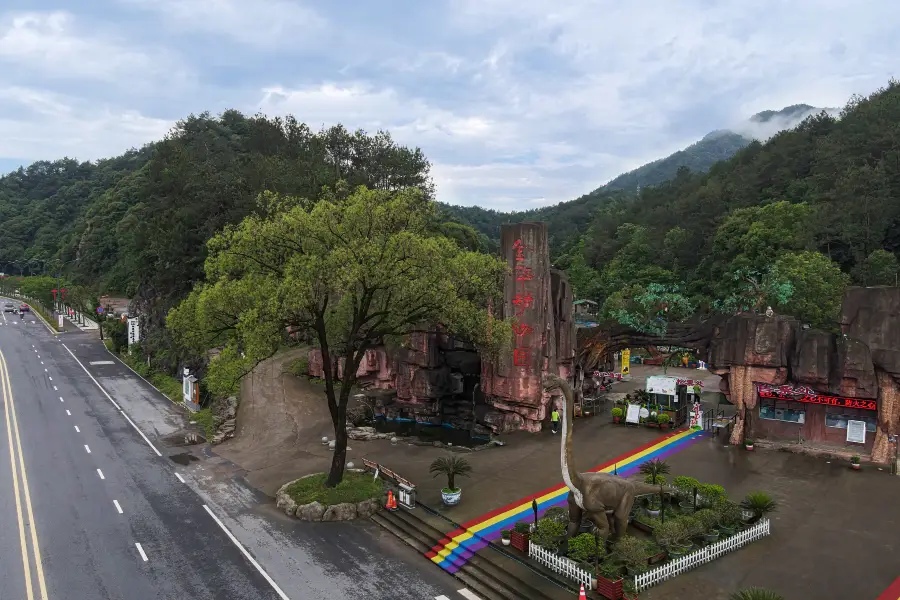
[97, 502]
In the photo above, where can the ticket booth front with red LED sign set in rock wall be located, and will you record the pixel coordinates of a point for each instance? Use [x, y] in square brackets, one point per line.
[793, 413]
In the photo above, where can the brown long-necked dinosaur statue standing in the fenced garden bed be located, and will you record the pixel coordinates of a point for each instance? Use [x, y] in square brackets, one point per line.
[605, 499]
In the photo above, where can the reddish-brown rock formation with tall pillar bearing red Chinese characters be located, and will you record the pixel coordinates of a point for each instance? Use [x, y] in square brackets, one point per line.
[434, 379]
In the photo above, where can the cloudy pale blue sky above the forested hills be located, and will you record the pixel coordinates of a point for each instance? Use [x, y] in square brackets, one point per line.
[517, 103]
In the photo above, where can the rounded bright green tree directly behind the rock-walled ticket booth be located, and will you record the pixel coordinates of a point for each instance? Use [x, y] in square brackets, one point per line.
[818, 287]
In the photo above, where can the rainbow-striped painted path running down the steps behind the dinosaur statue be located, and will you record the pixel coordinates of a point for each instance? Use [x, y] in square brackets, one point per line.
[460, 545]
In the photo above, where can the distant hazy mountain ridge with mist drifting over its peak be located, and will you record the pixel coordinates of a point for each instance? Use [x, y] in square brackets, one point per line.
[567, 221]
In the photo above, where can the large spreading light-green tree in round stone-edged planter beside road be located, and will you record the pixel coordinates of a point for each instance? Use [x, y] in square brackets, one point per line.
[352, 271]
